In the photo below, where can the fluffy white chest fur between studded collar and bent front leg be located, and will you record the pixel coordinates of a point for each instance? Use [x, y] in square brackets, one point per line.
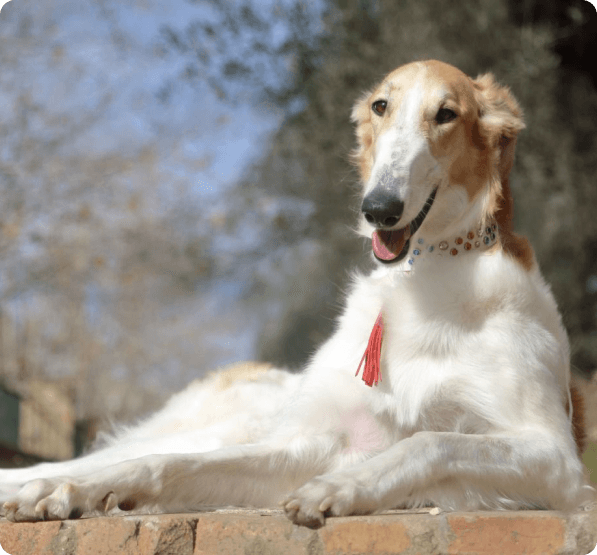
[465, 341]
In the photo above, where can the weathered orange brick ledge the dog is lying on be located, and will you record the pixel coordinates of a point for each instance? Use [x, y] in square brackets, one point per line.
[267, 532]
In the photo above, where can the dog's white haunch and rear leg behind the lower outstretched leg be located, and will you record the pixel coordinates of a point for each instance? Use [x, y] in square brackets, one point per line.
[216, 412]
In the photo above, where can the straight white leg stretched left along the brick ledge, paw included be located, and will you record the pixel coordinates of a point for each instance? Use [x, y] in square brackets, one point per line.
[250, 475]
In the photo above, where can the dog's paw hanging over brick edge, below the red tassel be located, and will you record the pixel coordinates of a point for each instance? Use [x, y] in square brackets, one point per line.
[329, 495]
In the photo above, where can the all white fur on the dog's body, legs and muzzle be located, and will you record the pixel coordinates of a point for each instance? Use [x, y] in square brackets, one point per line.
[470, 413]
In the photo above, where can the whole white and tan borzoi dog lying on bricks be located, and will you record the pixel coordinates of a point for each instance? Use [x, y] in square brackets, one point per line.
[462, 398]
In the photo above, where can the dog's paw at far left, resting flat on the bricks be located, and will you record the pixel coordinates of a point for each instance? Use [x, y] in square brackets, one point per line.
[59, 499]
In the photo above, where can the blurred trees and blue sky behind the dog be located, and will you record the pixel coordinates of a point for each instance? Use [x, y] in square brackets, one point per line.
[176, 195]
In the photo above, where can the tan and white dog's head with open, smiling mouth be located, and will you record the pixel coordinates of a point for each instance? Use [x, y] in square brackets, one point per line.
[435, 148]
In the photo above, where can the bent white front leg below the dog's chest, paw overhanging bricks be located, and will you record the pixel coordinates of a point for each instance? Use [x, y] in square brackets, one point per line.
[453, 471]
